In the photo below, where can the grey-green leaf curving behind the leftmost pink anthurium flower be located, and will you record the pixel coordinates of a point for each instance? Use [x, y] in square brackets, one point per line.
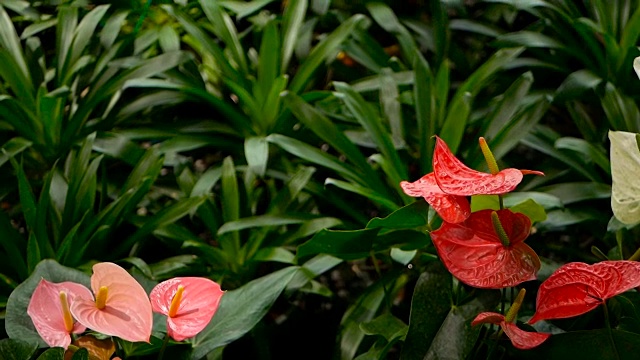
[18, 323]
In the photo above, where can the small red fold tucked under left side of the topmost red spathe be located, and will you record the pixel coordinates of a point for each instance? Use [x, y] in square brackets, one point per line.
[451, 208]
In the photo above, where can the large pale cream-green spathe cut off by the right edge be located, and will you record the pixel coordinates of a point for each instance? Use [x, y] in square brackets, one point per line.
[625, 171]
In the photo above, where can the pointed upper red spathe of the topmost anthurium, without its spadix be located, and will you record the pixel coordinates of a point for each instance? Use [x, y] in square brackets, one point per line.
[455, 178]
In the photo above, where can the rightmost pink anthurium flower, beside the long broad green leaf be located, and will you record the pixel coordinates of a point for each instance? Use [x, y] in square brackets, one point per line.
[188, 302]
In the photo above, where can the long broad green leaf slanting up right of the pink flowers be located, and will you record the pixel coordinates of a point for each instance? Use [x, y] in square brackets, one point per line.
[240, 310]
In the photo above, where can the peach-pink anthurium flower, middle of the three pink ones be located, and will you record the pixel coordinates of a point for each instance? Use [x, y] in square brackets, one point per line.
[121, 307]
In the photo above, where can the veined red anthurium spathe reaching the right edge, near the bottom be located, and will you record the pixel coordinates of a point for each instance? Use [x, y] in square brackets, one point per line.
[576, 288]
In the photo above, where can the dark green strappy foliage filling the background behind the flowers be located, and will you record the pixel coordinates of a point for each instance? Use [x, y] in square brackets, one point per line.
[223, 139]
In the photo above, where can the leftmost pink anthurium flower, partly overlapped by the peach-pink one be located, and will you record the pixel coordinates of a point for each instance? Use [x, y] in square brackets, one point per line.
[49, 311]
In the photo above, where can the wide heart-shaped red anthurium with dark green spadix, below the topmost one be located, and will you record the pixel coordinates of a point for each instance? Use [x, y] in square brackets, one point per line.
[487, 250]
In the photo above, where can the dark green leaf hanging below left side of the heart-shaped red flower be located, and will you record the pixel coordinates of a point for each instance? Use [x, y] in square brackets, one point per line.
[430, 306]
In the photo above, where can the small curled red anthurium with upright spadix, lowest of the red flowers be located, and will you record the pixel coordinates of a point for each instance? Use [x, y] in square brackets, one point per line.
[520, 339]
